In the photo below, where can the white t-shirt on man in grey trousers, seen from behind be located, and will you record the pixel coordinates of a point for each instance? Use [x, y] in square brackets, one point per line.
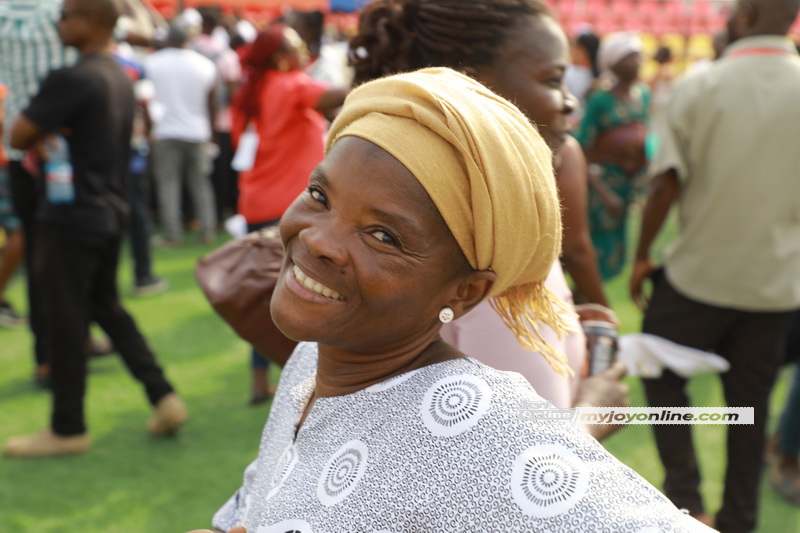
[182, 80]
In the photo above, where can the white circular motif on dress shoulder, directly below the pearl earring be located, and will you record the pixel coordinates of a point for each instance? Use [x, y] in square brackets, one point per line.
[454, 404]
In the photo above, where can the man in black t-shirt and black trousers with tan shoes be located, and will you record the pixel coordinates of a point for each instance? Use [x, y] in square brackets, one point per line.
[79, 228]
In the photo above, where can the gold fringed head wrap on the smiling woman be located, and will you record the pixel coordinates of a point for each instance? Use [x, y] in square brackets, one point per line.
[489, 173]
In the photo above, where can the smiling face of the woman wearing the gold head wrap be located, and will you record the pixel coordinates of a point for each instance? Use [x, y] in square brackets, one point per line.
[369, 260]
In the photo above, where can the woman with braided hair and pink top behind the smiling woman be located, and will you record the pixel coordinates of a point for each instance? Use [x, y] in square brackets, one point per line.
[517, 49]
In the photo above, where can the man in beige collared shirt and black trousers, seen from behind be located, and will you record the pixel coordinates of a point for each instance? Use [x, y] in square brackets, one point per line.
[728, 159]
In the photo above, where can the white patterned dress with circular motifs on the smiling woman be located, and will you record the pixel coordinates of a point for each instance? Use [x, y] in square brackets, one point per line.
[441, 448]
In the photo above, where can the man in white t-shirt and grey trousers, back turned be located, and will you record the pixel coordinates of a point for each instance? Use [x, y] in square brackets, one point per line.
[182, 111]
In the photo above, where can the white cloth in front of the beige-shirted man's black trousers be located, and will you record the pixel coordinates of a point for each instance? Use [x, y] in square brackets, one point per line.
[647, 355]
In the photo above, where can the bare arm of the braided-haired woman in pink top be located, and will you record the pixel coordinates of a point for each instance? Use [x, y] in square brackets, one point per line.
[579, 258]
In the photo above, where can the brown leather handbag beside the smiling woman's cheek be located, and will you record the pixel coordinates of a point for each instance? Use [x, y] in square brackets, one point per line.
[238, 280]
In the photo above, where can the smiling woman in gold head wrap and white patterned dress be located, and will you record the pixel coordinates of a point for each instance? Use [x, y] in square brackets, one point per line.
[379, 425]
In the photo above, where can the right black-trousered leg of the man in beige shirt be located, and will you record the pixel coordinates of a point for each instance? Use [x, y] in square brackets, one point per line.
[754, 347]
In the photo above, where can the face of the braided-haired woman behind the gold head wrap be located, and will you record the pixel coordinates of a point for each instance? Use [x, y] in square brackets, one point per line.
[529, 71]
